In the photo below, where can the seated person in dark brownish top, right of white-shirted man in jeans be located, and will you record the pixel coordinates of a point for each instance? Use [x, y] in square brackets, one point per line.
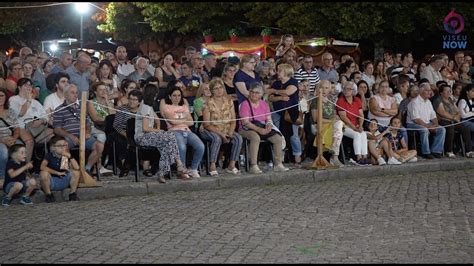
[448, 114]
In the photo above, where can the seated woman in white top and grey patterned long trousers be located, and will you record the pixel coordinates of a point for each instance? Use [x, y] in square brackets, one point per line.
[148, 133]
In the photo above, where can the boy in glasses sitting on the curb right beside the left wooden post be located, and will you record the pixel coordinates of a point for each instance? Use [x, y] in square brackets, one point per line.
[59, 171]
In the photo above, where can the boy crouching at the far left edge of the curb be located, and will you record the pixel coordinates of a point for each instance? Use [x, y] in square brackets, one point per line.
[16, 179]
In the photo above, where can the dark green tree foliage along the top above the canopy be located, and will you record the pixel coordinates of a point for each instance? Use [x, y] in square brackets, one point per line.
[380, 22]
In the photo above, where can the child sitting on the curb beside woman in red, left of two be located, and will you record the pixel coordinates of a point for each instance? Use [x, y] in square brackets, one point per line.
[378, 145]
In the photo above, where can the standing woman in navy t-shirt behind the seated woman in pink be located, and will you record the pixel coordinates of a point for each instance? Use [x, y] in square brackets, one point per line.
[245, 77]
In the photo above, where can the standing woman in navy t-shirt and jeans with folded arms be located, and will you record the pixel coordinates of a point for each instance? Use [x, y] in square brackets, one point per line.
[284, 94]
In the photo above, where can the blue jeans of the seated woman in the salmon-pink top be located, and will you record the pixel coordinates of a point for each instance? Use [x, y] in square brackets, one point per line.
[187, 137]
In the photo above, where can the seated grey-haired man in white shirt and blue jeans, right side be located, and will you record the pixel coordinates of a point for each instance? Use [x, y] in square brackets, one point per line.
[422, 118]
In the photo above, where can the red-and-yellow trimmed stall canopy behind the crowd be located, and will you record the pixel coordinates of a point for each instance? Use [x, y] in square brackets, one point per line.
[314, 46]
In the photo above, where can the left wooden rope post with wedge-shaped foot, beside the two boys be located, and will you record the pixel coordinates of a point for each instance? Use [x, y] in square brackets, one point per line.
[86, 180]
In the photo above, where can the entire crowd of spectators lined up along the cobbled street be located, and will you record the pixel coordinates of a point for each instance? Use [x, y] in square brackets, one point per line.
[381, 106]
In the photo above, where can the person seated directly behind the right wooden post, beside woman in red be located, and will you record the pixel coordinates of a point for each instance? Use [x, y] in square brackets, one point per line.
[332, 125]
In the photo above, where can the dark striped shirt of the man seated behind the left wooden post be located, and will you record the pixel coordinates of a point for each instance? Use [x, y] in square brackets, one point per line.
[68, 118]
